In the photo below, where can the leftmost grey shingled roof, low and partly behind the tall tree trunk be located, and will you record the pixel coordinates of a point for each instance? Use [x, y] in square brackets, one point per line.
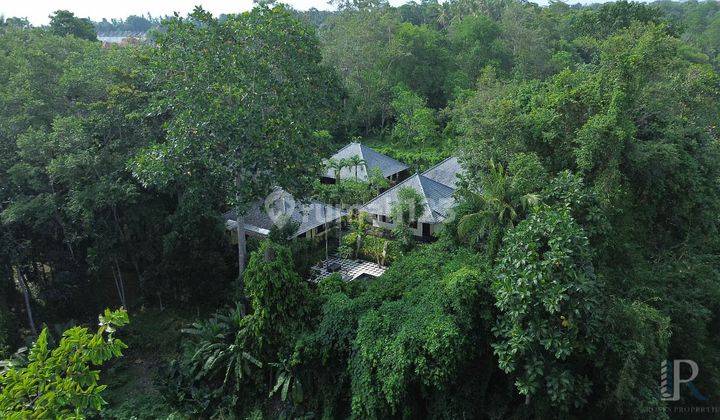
[308, 215]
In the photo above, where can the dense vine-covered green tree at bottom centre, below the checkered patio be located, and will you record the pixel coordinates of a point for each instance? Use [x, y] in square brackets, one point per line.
[423, 325]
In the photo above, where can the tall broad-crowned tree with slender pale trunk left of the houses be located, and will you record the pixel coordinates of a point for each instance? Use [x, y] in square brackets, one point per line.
[247, 111]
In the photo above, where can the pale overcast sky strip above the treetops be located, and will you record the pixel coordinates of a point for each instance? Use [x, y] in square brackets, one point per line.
[37, 11]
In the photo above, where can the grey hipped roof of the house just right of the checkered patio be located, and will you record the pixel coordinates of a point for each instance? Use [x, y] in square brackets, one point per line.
[437, 199]
